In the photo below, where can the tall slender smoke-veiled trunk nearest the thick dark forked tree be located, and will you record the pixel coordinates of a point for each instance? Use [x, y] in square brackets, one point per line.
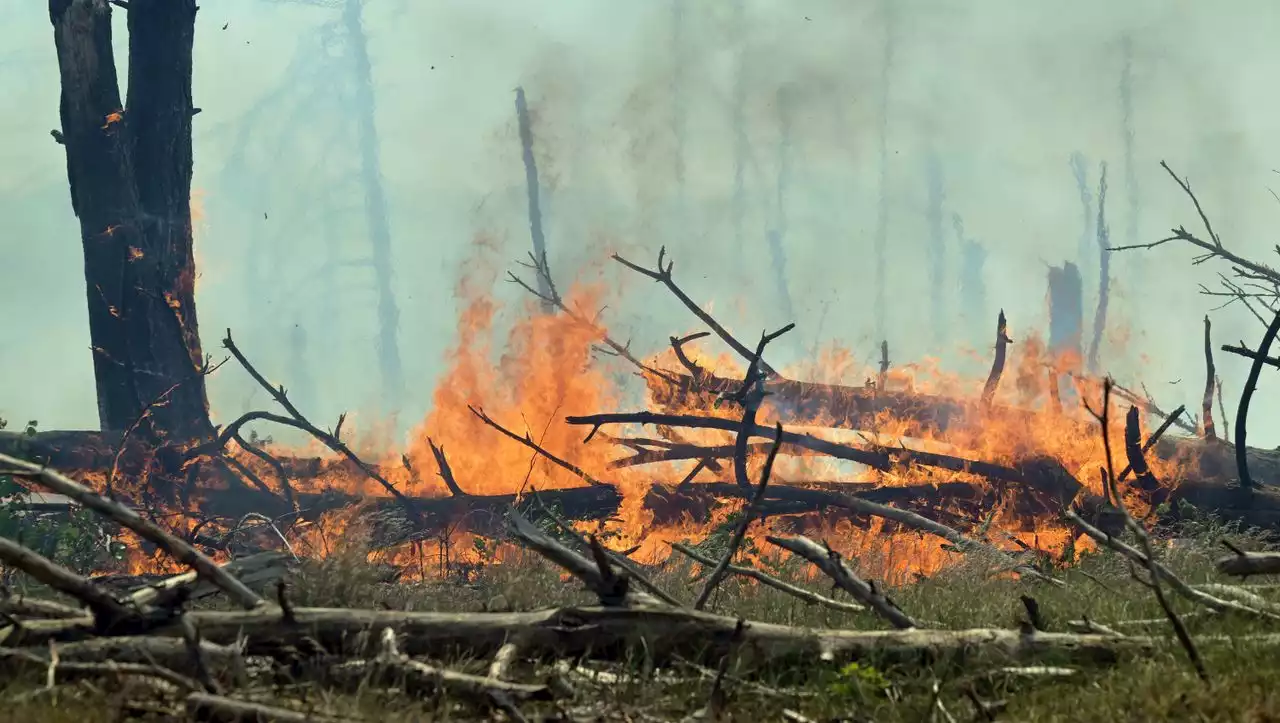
[376, 209]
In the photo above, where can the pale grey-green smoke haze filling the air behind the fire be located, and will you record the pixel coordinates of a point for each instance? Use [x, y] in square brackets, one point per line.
[1003, 93]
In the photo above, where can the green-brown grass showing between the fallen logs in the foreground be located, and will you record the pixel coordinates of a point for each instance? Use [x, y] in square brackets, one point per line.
[1159, 687]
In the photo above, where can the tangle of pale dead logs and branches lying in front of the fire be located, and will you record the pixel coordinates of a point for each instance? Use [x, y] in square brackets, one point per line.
[222, 665]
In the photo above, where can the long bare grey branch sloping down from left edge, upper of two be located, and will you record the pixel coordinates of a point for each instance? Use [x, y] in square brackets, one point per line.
[148, 530]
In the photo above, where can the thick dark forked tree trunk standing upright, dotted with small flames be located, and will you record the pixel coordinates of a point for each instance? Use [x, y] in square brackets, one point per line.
[130, 171]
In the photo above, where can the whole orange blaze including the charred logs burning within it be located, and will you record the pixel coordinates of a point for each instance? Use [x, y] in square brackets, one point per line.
[998, 464]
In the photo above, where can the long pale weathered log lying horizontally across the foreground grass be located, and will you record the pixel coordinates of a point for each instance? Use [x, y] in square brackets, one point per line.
[604, 633]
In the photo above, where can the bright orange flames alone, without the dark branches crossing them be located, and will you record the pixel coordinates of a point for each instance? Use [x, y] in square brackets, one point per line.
[540, 372]
